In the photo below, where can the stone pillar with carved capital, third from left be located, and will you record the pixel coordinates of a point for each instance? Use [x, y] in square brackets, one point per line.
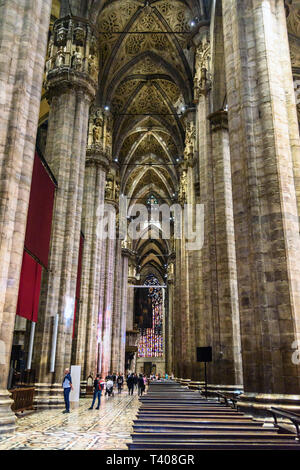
[98, 158]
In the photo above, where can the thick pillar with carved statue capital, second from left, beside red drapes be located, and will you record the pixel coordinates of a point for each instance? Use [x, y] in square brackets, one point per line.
[71, 87]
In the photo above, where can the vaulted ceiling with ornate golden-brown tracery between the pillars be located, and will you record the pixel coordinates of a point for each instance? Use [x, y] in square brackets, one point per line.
[147, 68]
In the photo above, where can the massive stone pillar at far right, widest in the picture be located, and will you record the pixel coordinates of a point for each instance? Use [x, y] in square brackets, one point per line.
[263, 146]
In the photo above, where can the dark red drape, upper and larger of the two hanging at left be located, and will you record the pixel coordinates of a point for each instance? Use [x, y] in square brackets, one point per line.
[39, 219]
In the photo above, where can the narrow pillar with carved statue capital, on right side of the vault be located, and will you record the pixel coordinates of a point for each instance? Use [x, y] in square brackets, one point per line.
[204, 275]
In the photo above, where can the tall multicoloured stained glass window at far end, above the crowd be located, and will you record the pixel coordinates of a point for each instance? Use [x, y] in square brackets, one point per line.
[151, 339]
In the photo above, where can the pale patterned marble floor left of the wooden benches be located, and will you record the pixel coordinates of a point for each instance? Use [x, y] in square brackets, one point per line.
[82, 429]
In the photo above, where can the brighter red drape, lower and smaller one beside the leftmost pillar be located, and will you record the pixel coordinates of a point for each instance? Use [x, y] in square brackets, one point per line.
[29, 290]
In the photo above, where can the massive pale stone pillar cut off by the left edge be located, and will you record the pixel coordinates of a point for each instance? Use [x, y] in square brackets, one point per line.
[23, 39]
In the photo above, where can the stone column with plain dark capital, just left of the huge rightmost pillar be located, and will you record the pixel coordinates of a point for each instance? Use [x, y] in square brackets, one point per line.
[227, 363]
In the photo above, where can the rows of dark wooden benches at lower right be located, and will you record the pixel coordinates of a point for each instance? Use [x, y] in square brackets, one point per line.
[172, 417]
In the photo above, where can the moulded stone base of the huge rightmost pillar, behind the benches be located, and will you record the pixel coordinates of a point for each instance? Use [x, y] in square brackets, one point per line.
[257, 404]
